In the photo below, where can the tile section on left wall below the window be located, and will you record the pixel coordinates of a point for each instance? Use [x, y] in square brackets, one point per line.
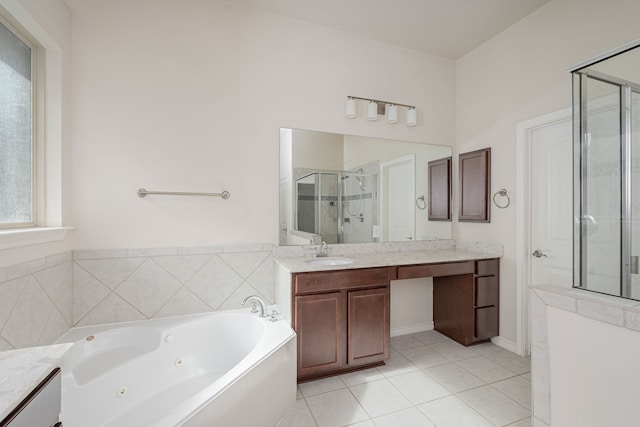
[35, 301]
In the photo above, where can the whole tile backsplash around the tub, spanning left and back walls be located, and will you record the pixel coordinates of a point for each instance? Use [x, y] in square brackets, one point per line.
[40, 300]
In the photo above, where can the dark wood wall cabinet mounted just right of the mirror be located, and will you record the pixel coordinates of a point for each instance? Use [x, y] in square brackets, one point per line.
[475, 184]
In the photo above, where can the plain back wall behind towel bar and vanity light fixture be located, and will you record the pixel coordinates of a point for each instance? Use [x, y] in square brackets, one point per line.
[190, 96]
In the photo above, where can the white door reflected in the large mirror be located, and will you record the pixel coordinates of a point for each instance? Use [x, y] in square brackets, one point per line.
[398, 196]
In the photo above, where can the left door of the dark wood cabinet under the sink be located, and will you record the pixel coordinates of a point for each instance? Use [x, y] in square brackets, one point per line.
[319, 324]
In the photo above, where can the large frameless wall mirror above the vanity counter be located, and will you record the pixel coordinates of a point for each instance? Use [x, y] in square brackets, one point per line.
[350, 189]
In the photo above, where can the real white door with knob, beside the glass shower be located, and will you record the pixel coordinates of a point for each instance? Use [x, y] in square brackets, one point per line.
[545, 211]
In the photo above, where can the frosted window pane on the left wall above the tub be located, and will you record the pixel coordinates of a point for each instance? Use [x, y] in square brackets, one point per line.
[17, 172]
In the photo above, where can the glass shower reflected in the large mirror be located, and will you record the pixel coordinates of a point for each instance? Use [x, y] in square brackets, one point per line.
[337, 207]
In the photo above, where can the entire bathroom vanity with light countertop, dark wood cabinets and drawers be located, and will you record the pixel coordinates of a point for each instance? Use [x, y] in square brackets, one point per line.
[341, 313]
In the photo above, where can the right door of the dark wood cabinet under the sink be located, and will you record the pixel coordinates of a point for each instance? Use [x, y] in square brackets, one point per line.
[368, 326]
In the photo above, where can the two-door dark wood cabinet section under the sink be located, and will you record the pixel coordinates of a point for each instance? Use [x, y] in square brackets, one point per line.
[342, 320]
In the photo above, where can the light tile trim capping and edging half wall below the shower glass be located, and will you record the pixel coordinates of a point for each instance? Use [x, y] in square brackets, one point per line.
[621, 313]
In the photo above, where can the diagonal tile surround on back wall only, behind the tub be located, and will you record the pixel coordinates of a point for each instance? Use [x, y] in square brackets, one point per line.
[134, 284]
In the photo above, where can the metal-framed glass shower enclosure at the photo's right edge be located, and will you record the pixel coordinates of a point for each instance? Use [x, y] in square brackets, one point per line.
[607, 173]
